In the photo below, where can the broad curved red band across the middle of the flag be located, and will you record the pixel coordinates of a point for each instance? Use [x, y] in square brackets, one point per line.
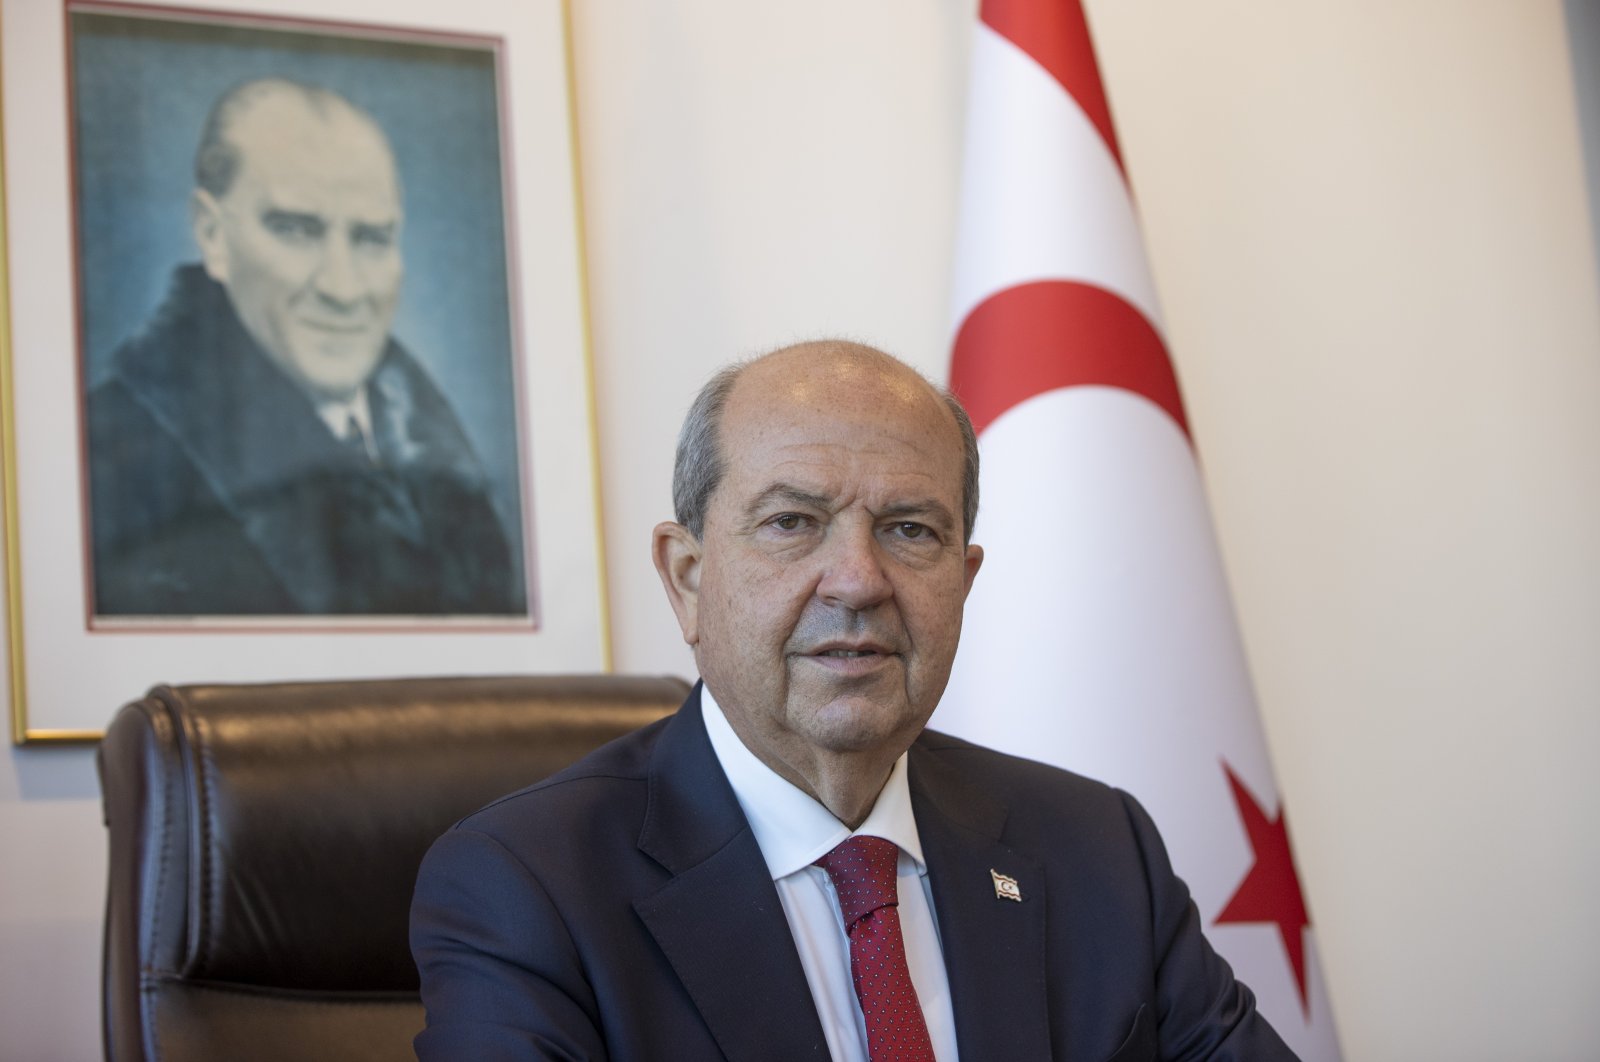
[1042, 337]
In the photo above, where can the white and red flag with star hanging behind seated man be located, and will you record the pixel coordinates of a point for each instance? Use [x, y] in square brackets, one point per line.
[1100, 636]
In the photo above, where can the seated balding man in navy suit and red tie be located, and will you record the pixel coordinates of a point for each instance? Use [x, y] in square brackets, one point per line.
[791, 868]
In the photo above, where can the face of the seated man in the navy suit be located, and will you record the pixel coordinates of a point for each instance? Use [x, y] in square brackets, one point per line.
[833, 572]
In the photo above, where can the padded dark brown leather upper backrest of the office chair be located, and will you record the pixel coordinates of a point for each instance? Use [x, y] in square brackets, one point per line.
[311, 805]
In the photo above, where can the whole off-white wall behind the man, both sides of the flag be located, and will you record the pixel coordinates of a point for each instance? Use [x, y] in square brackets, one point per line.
[1369, 230]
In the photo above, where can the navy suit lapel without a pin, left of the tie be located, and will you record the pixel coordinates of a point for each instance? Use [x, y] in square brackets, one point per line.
[719, 920]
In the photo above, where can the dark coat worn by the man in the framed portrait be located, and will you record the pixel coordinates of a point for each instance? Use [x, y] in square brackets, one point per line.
[218, 490]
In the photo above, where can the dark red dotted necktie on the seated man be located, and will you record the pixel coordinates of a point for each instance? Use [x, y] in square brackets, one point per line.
[863, 872]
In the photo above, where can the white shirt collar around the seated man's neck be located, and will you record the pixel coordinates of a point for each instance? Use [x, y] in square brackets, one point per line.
[793, 829]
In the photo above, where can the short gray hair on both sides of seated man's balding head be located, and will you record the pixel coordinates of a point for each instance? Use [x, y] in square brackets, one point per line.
[700, 463]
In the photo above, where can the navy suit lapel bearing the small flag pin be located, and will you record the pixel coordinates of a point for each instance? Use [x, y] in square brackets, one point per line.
[994, 948]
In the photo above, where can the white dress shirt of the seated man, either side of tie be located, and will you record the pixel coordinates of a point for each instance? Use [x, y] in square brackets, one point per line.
[794, 831]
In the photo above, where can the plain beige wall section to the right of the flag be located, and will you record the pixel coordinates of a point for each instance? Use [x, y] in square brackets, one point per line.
[1370, 234]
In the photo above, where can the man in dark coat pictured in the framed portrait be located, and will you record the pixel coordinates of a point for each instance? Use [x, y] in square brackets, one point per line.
[265, 447]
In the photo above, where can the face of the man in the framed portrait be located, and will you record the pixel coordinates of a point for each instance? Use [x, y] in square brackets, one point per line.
[308, 242]
